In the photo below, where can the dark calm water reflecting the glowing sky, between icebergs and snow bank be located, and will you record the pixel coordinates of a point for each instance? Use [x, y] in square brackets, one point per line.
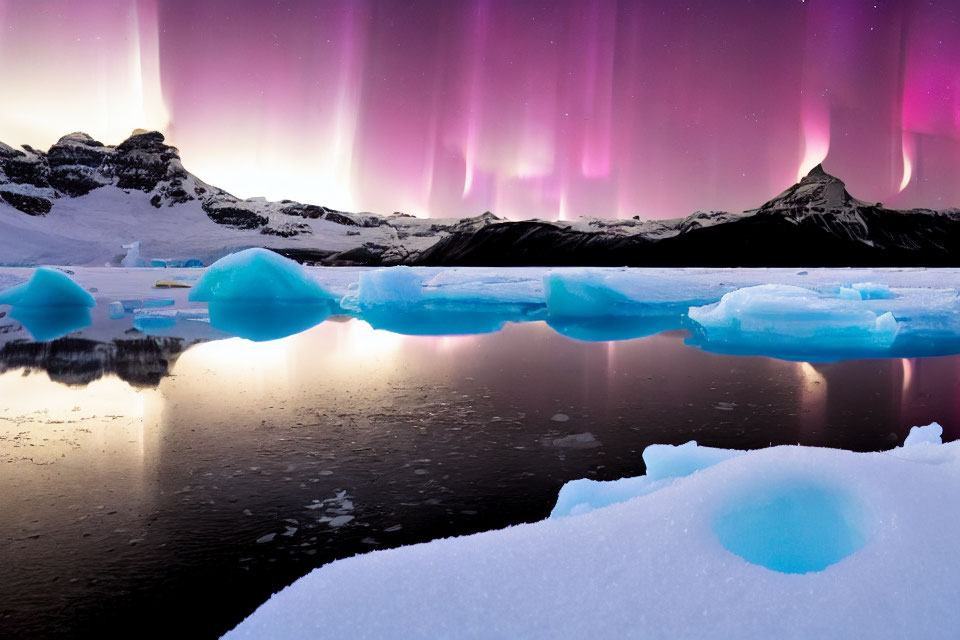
[138, 511]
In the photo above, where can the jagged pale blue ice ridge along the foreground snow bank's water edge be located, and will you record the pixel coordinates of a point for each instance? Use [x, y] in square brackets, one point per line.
[664, 462]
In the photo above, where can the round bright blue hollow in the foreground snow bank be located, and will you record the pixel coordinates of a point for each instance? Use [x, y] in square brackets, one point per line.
[793, 524]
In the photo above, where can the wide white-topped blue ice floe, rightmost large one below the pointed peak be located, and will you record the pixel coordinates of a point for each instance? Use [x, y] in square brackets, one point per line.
[793, 323]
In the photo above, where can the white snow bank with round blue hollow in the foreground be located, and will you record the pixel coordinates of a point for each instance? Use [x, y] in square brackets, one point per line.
[859, 545]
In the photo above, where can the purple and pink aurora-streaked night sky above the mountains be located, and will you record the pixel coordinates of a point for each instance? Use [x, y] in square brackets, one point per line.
[554, 109]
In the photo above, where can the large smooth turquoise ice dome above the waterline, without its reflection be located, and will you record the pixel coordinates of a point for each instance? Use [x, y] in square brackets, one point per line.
[257, 275]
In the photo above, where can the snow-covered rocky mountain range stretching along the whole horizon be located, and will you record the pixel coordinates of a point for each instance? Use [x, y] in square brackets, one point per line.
[79, 201]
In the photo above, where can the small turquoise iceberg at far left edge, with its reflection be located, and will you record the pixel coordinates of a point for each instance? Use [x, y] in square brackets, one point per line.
[49, 304]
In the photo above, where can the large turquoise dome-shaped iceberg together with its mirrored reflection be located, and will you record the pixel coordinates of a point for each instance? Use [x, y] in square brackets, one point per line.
[260, 295]
